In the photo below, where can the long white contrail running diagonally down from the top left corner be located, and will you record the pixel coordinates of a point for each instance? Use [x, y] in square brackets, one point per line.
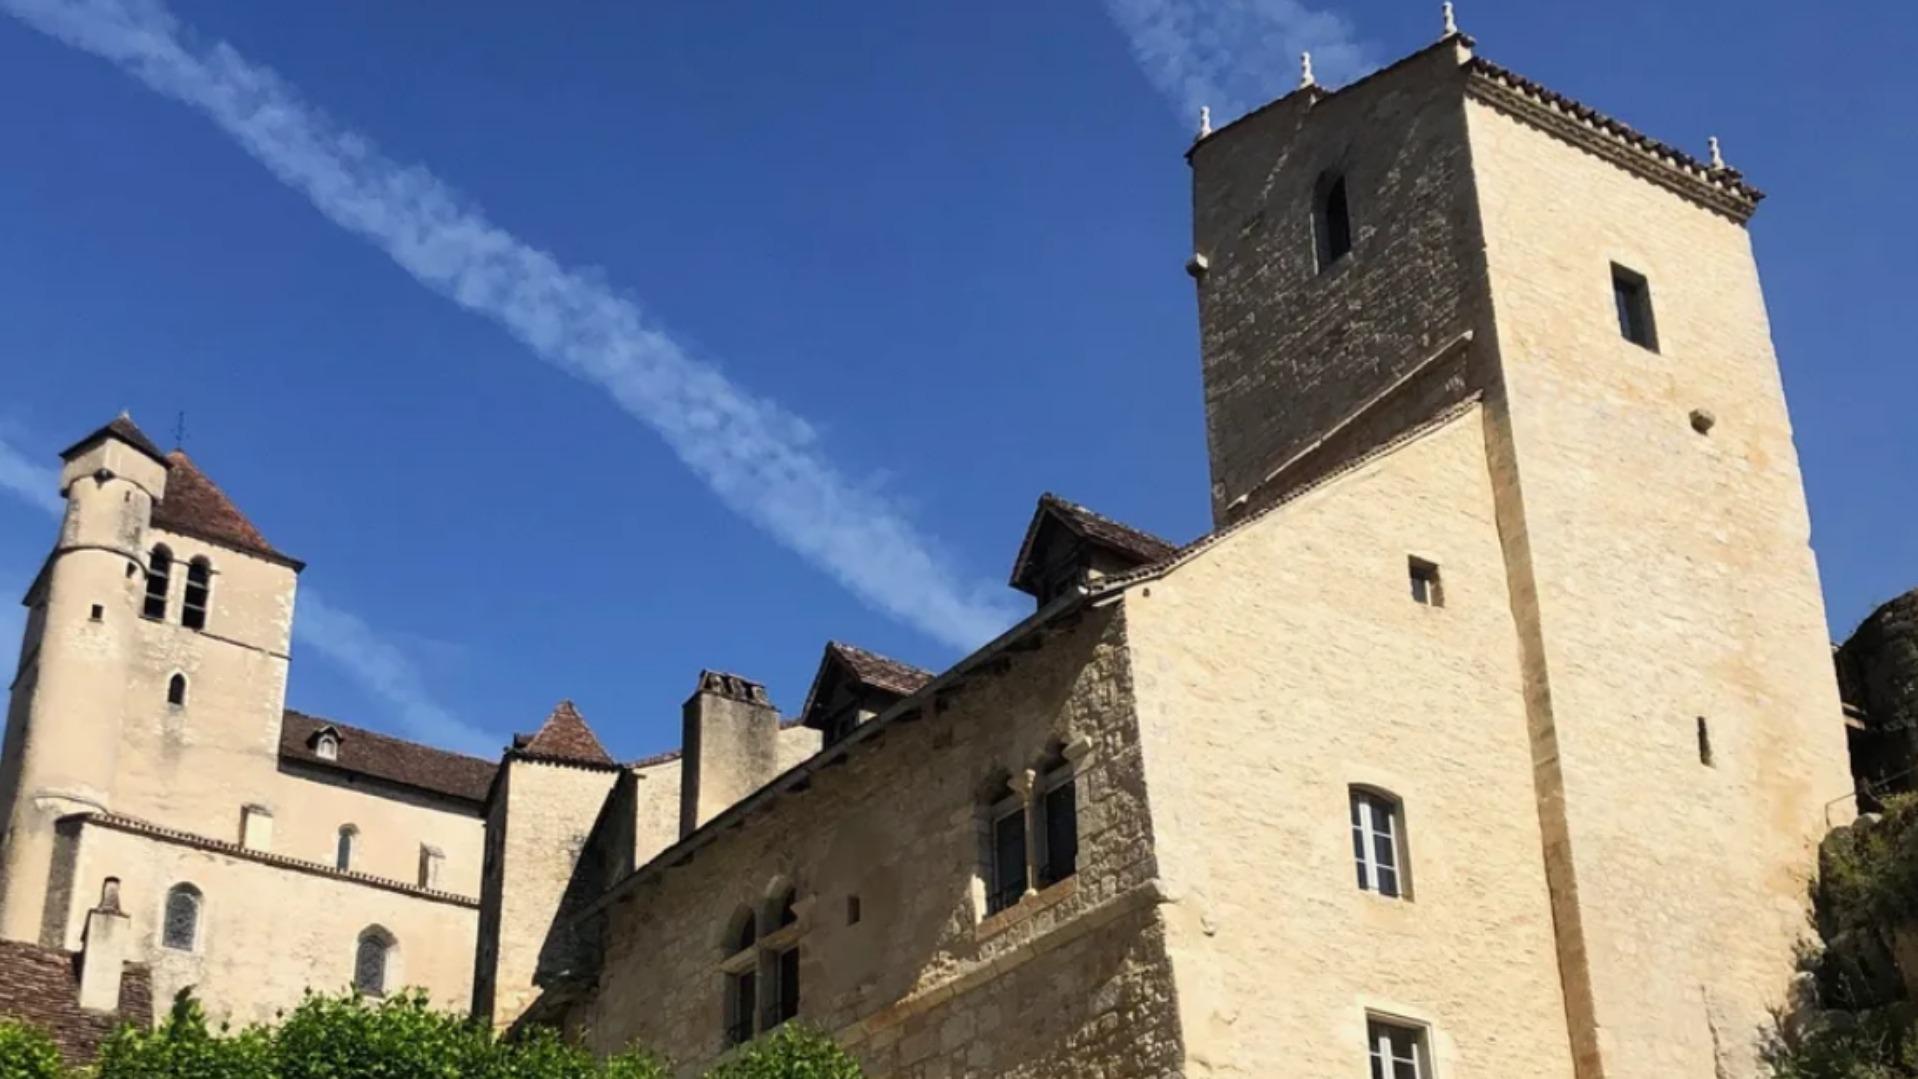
[762, 461]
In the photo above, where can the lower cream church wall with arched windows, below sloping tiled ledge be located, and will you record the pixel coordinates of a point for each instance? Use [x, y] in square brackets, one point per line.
[268, 932]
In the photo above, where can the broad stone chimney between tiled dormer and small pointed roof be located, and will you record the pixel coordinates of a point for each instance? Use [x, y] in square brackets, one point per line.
[730, 746]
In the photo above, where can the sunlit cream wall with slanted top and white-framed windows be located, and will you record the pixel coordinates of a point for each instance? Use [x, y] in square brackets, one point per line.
[1290, 664]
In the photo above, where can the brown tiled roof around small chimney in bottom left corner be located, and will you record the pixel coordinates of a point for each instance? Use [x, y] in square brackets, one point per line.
[43, 988]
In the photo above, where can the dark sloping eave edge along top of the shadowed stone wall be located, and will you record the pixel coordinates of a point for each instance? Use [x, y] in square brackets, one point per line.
[801, 775]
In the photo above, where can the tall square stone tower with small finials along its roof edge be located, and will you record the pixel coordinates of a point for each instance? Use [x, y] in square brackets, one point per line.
[1449, 231]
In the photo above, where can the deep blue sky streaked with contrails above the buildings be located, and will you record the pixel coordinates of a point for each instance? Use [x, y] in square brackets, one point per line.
[877, 277]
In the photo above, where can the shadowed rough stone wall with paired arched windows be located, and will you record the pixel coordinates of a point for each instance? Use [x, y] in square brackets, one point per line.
[1067, 984]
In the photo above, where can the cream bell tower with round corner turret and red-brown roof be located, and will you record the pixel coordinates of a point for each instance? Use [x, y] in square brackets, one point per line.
[152, 672]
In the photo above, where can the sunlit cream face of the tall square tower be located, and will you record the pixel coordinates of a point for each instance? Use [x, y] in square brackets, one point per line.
[1670, 580]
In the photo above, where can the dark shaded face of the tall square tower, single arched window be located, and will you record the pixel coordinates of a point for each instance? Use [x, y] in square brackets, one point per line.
[1288, 350]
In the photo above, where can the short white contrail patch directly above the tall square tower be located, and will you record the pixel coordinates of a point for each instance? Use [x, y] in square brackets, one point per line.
[1236, 55]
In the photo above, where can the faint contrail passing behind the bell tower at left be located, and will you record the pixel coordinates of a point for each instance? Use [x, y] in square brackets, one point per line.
[365, 656]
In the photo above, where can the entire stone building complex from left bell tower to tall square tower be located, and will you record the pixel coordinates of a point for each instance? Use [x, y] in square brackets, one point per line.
[1491, 731]
